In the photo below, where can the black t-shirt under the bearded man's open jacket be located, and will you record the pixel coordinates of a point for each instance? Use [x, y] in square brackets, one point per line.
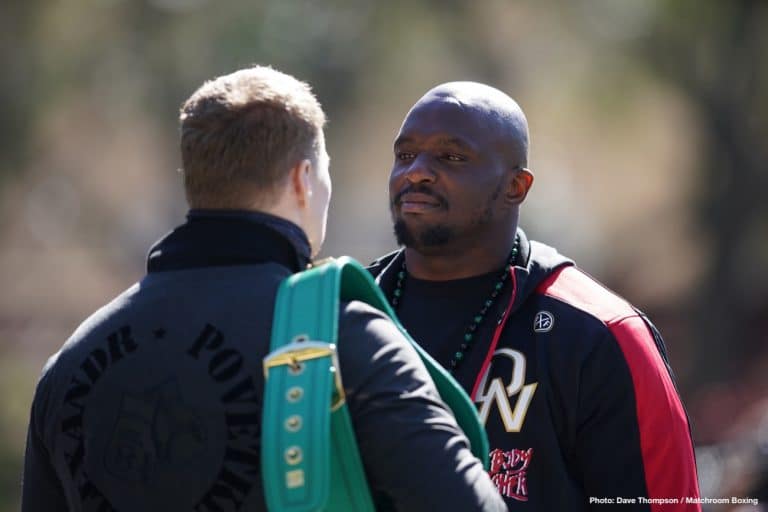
[437, 314]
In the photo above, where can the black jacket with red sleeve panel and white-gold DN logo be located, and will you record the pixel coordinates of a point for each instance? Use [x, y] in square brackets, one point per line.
[575, 391]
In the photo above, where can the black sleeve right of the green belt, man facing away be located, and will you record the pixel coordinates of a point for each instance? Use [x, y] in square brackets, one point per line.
[413, 451]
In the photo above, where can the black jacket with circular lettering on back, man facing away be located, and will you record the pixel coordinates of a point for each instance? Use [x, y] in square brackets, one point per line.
[154, 403]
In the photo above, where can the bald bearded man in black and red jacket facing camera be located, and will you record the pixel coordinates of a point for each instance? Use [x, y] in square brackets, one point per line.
[571, 381]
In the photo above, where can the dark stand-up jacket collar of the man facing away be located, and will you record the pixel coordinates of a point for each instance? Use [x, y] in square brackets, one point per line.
[230, 237]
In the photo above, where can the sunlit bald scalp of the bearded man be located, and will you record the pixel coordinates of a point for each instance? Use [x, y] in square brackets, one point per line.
[490, 106]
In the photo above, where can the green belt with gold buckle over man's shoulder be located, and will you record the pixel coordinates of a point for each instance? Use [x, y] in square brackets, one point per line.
[309, 455]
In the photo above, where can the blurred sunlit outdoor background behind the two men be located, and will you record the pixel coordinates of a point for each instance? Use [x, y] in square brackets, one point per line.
[648, 118]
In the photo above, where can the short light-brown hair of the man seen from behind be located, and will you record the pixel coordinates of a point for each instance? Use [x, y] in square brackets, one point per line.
[242, 132]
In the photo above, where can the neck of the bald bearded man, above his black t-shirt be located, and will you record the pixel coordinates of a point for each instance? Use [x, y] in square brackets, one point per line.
[457, 261]
